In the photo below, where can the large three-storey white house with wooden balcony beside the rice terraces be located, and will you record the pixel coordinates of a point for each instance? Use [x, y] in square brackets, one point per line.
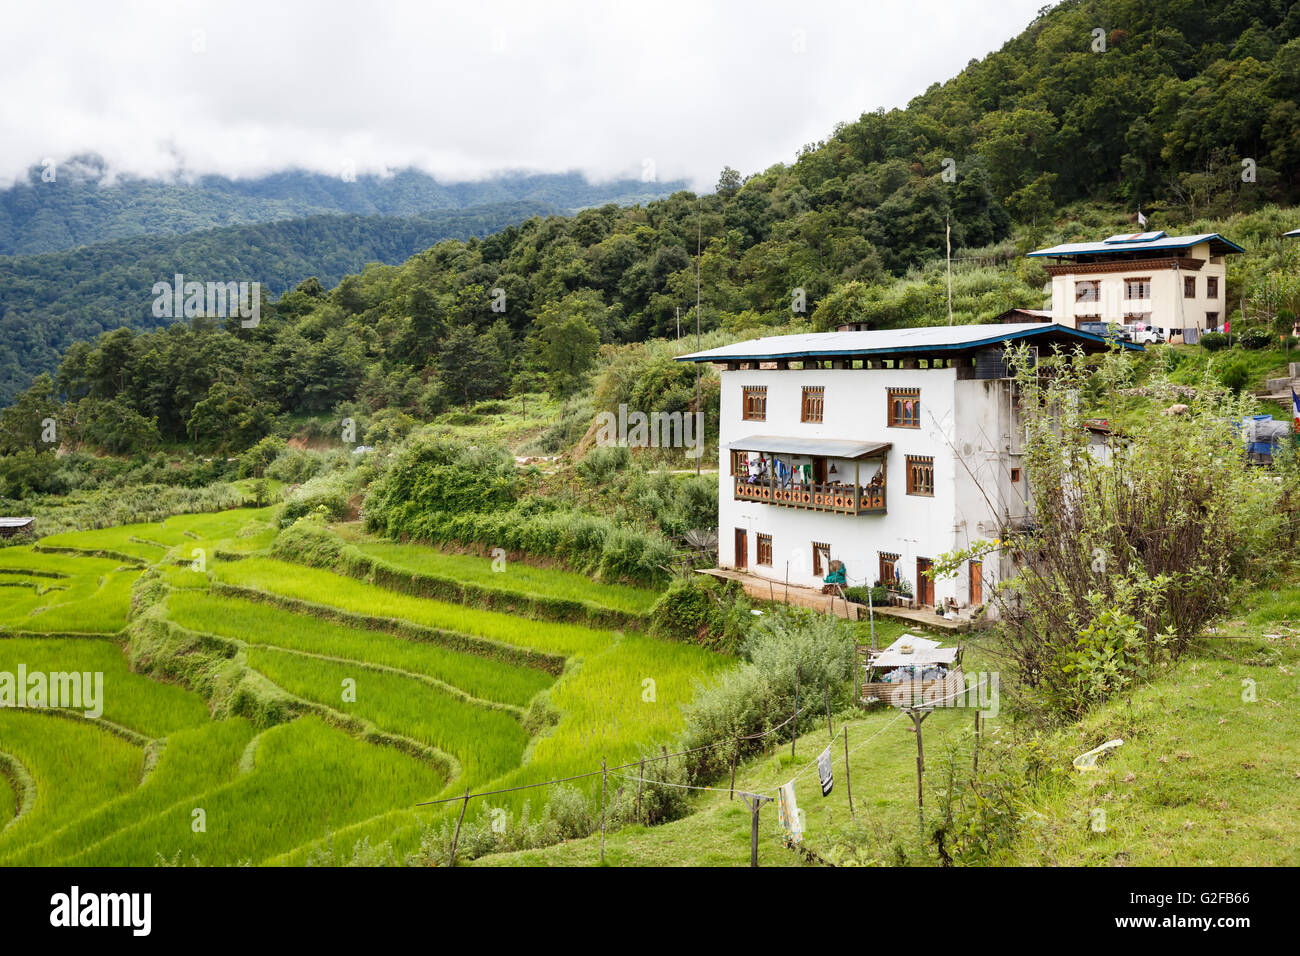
[879, 449]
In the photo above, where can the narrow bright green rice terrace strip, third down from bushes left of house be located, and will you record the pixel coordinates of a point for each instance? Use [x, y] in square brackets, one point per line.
[265, 625]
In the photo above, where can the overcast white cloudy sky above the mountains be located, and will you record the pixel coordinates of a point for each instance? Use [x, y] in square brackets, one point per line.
[463, 90]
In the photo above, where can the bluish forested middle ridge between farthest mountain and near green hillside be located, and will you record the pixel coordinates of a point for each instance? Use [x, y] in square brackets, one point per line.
[50, 301]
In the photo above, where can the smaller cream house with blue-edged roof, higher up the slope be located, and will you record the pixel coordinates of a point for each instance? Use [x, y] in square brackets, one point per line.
[1149, 280]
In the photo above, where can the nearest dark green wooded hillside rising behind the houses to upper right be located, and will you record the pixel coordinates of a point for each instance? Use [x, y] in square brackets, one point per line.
[1163, 114]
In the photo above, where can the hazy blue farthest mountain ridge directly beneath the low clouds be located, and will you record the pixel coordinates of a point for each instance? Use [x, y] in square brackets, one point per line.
[79, 202]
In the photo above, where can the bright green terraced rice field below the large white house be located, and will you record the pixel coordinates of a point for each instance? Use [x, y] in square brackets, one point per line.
[393, 700]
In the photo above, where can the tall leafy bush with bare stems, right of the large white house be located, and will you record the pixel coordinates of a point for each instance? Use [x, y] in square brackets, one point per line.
[1132, 552]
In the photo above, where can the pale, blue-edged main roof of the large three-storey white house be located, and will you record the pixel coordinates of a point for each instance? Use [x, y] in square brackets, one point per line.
[917, 340]
